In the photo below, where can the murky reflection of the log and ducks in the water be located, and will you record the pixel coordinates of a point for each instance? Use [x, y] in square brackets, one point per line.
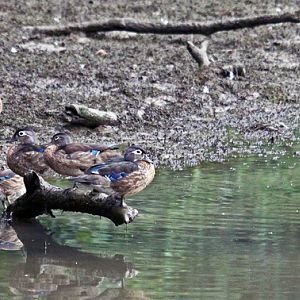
[62, 272]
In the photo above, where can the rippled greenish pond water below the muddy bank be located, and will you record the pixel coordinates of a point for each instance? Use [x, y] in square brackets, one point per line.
[220, 231]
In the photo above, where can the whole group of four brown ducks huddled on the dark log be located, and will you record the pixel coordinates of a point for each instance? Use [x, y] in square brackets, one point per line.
[103, 168]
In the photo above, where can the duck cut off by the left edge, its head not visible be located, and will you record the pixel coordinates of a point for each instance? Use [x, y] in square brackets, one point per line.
[11, 186]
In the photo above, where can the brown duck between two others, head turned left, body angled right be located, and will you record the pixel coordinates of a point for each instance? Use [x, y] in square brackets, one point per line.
[73, 159]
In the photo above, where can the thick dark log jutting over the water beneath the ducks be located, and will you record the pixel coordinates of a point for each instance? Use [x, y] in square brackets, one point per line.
[41, 197]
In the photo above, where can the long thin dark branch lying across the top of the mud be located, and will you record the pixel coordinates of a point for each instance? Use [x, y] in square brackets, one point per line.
[204, 28]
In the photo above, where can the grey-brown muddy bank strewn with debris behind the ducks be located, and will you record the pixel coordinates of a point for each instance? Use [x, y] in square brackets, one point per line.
[181, 114]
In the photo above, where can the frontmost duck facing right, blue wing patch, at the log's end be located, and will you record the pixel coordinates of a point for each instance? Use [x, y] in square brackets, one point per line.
[126, 176]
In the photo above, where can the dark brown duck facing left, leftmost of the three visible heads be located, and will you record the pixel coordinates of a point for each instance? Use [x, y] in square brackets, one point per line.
[27, 155]
